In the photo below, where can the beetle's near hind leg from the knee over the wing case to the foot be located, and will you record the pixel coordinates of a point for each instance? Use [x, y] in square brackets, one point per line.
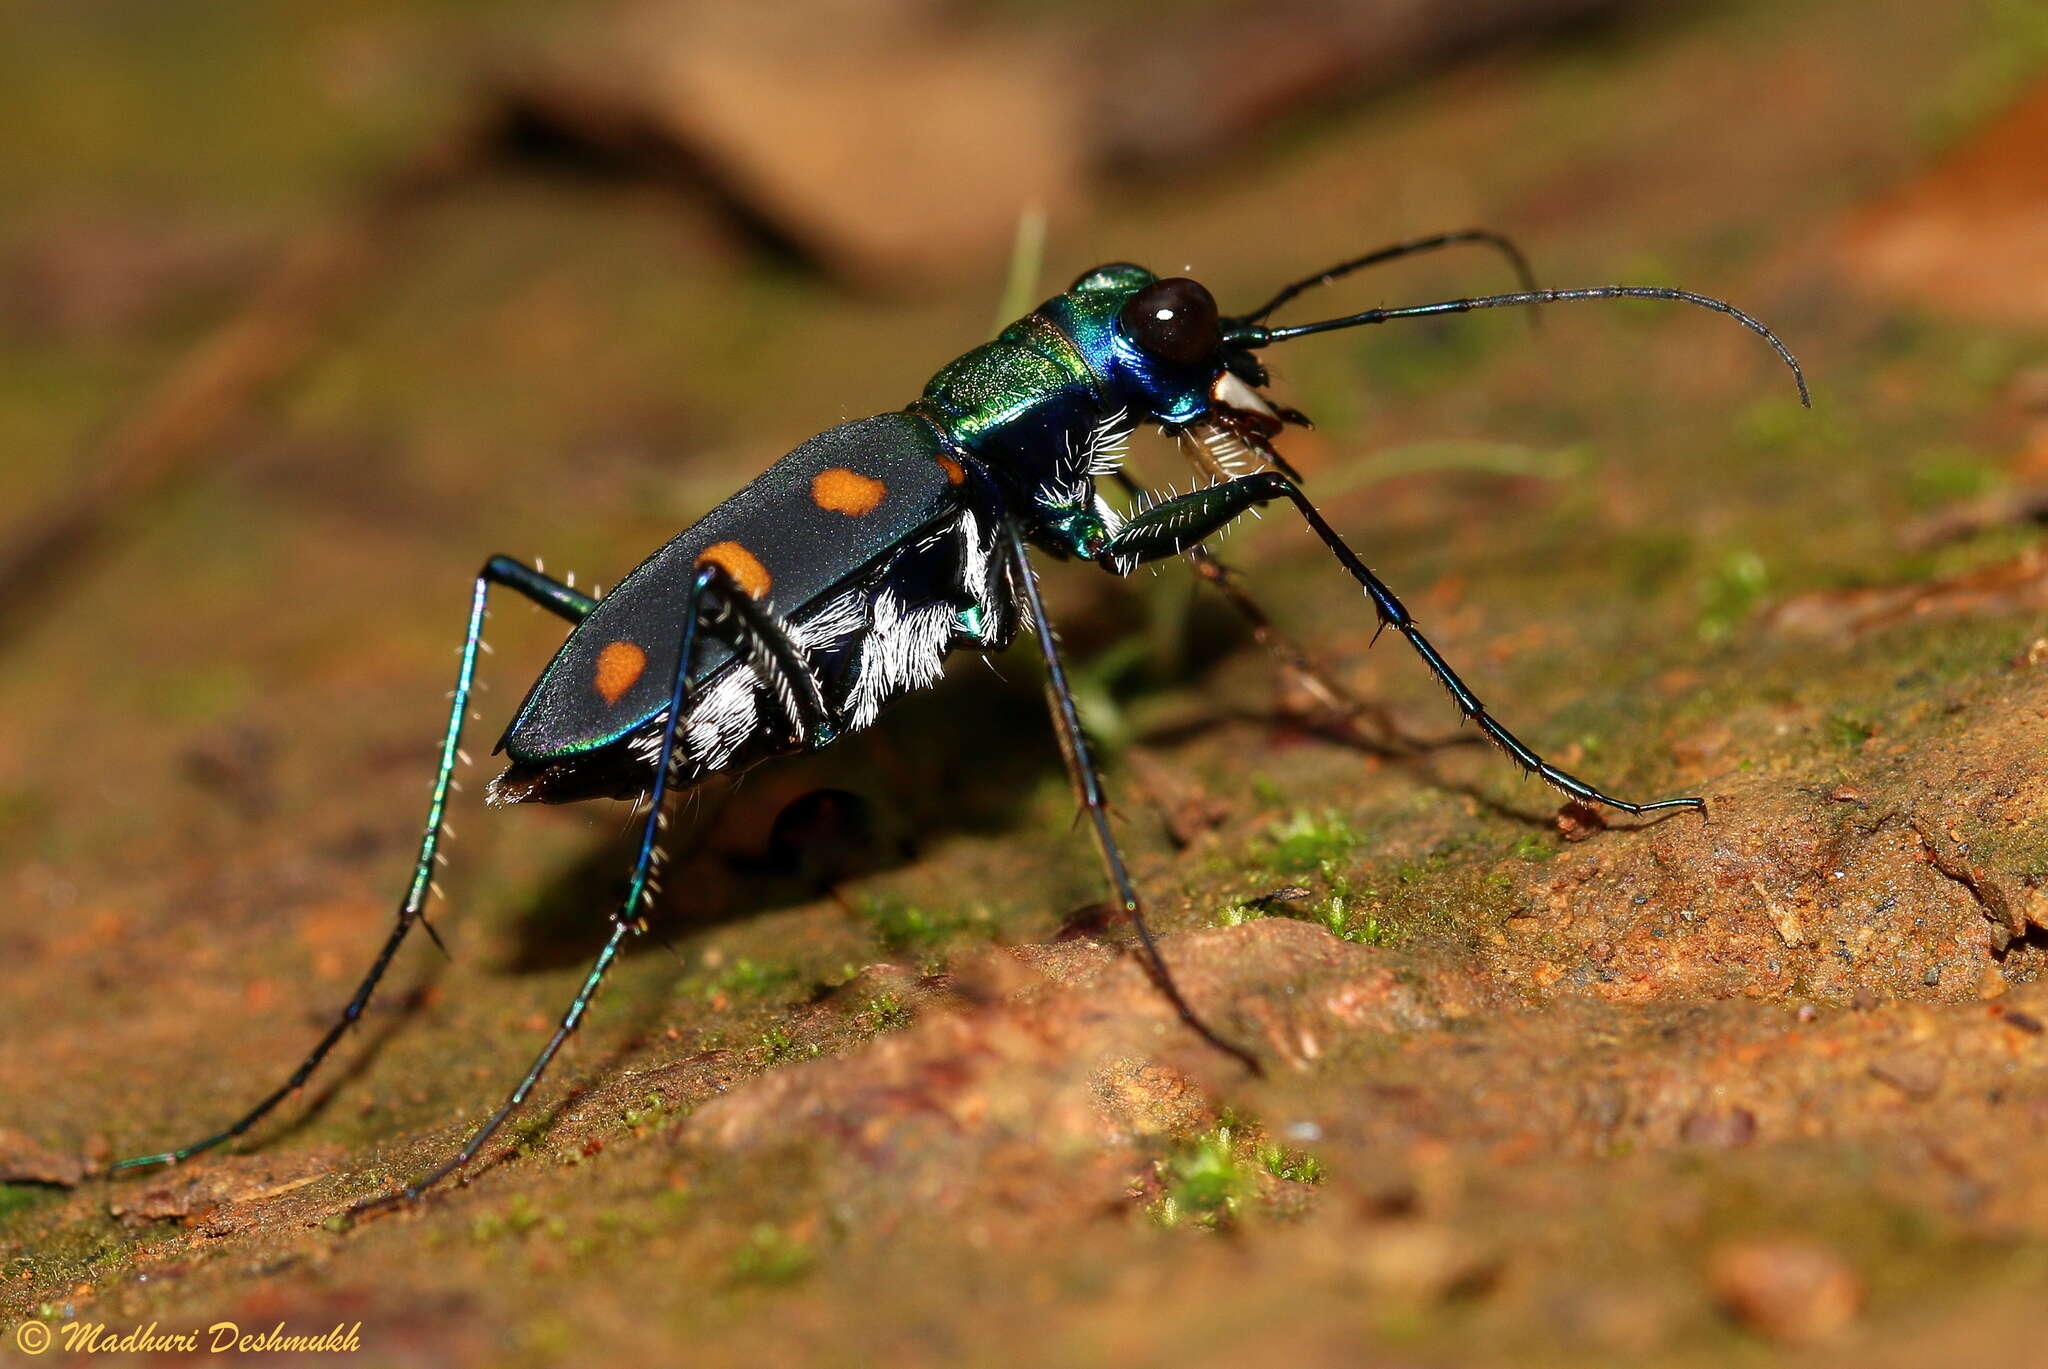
[712, 595]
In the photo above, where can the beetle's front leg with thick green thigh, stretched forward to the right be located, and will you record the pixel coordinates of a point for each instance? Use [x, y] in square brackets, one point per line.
[1181, 524]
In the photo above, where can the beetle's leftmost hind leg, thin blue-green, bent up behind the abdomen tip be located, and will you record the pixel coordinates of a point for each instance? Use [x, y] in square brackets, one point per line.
[552, 595]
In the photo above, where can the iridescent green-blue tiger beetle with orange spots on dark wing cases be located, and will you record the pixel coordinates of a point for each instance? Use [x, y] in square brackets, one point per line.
[847, 573]
